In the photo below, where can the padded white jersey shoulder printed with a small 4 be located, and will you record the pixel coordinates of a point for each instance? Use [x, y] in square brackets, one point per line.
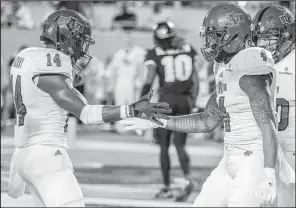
[253, 61]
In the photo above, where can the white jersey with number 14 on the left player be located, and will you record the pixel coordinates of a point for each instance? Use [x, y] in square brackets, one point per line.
[39, 119]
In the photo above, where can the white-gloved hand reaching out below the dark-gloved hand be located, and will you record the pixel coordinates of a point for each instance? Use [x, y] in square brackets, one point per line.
[137, 124]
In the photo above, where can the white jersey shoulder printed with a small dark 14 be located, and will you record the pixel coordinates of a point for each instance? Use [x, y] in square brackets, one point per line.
[49, 61]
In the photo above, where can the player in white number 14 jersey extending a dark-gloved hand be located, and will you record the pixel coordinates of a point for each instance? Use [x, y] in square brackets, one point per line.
[42, 81]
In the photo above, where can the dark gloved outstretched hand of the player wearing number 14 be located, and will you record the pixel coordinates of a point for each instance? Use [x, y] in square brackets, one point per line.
[150, 111]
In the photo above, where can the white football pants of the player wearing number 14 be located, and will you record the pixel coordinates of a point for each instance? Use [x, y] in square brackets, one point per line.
[48, 173]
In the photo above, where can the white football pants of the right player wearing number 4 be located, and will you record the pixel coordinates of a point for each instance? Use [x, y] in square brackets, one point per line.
[234, 181]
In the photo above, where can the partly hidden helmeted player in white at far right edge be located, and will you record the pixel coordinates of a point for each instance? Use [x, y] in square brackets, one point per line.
[274, 29]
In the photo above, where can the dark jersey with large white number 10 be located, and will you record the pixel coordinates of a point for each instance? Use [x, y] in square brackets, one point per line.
[174, 68]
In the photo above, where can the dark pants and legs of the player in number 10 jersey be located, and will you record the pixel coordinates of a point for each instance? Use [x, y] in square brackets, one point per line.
[180, 105]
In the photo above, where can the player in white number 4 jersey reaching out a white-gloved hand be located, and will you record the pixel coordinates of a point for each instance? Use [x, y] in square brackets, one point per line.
[244, 100]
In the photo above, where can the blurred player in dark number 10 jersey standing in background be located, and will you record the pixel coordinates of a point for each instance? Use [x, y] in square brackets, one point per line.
[174, 62]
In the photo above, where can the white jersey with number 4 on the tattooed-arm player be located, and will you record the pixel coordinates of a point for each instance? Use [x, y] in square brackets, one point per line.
[242, 128]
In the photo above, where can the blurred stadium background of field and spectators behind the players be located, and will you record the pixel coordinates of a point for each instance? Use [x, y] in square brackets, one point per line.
[114, 168]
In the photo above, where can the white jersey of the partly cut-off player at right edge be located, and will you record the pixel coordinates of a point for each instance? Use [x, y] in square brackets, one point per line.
[285, 101]
